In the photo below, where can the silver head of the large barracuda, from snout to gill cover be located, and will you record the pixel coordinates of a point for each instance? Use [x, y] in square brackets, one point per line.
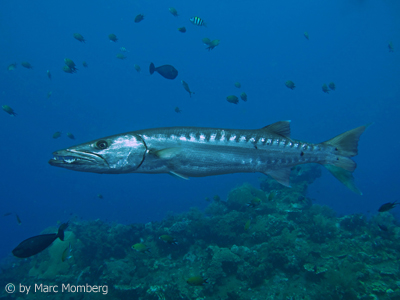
[121, 153]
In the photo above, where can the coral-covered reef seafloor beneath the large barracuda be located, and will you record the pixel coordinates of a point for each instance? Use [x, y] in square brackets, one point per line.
[282, 247]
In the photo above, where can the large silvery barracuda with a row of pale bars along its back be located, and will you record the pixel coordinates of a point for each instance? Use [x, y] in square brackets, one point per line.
[196, 152]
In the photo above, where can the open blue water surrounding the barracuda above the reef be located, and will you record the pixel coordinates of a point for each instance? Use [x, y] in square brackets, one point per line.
[262, 46]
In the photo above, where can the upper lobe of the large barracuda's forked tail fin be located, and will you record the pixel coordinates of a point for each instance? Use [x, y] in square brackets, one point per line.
[347, 142]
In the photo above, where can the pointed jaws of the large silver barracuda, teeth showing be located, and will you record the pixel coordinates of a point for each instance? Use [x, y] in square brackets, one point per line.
[71, 158]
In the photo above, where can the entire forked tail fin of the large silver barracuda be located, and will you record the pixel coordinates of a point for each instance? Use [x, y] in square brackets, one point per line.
[345, 147]
